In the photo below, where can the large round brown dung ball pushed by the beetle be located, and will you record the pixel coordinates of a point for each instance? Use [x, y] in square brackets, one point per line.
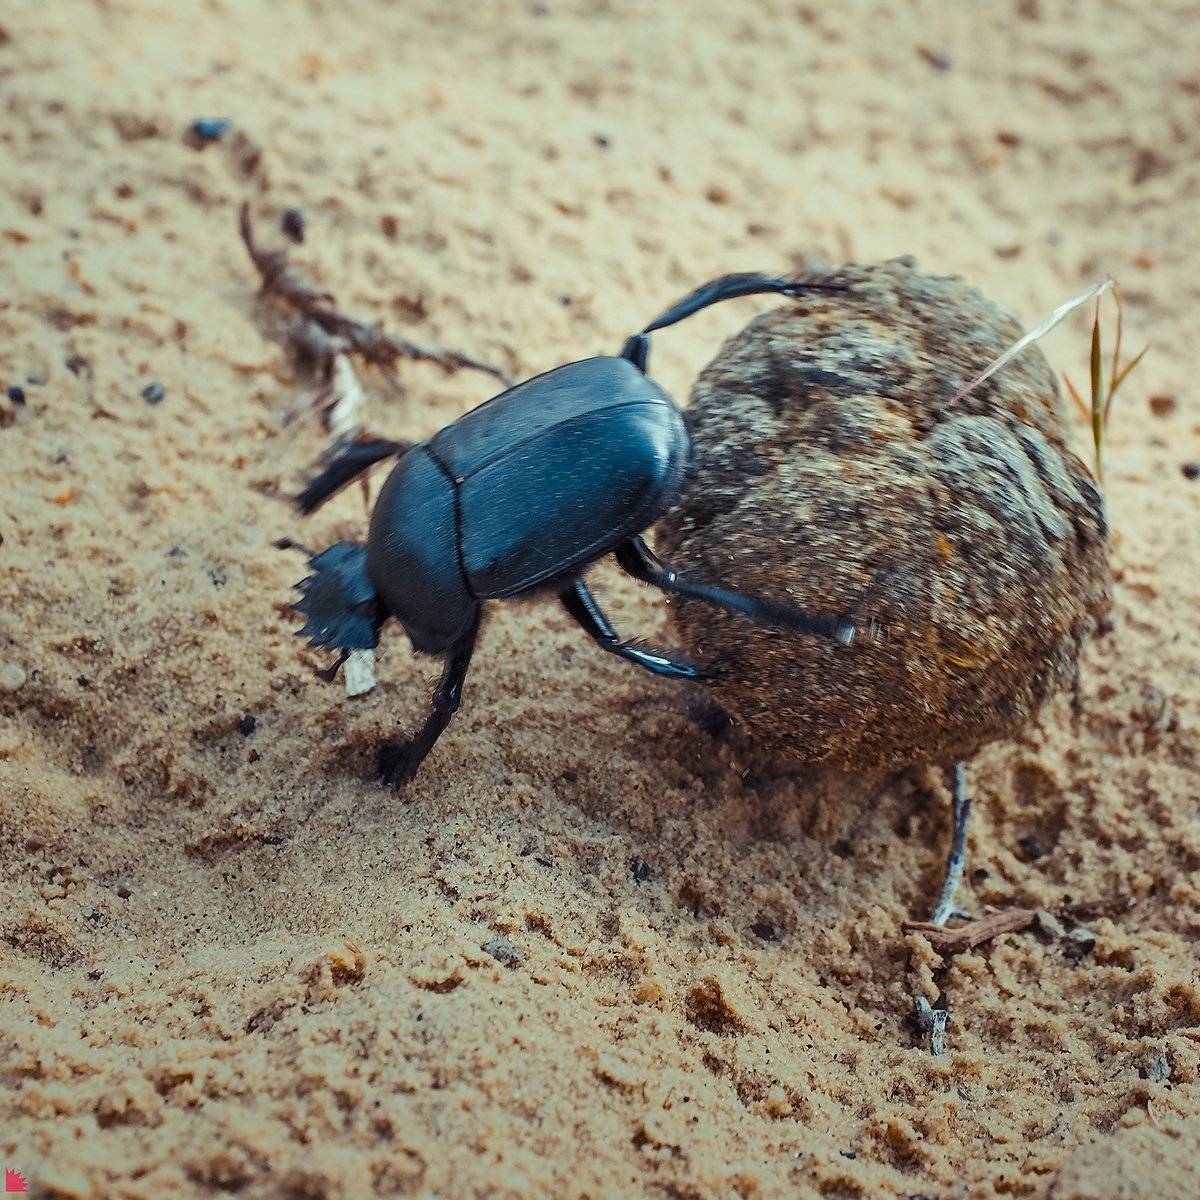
[835, 470]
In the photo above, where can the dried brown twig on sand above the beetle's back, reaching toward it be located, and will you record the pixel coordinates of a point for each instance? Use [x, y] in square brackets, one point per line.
[343, 334]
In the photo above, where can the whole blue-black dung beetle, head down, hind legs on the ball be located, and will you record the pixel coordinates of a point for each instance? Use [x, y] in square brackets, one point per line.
[519, 497]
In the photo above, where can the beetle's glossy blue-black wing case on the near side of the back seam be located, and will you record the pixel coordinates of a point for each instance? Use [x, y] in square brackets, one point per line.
[569, 494]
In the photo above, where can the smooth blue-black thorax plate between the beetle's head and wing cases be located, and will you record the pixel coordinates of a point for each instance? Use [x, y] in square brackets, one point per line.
[413, 554]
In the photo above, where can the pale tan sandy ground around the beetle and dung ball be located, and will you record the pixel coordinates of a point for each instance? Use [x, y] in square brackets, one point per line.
[596, 951]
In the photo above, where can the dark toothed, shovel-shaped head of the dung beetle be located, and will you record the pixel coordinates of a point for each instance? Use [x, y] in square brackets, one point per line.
[339, 601]
